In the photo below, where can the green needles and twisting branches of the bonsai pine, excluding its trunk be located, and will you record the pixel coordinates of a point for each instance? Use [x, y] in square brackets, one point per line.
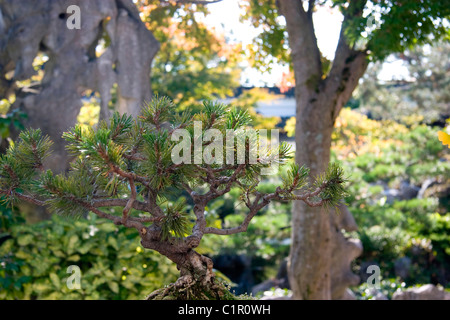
[127, 163]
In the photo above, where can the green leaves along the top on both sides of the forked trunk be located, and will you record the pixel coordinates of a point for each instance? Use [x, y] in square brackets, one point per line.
[399, 26]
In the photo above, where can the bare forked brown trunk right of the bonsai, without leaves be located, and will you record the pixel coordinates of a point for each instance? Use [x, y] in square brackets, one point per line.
[320, 256]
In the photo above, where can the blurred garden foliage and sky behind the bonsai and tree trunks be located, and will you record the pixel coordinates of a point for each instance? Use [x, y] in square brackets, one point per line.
[386, 137]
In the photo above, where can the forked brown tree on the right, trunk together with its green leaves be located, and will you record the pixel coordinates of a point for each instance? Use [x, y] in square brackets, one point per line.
[322, 92]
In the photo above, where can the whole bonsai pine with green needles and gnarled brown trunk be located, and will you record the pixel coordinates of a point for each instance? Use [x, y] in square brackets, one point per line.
[128, 163]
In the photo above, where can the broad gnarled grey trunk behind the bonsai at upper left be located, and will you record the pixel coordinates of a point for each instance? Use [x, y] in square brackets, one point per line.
[30, 27]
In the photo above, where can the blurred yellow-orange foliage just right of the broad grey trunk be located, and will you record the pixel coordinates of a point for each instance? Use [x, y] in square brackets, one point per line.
[195, 62]
